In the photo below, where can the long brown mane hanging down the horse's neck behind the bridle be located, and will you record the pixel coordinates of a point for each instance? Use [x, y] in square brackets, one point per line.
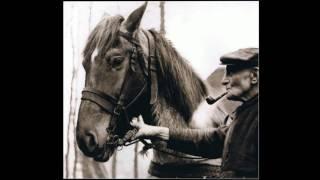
[179, 85]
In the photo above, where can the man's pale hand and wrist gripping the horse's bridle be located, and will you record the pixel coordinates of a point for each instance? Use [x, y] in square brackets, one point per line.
[148, 131]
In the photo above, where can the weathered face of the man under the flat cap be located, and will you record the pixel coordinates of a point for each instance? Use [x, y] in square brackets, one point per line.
[238, 82]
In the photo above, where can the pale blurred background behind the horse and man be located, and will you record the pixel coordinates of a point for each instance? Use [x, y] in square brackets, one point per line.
[200, 31]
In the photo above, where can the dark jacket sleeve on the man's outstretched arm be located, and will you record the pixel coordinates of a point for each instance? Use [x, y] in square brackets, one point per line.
[207, 143]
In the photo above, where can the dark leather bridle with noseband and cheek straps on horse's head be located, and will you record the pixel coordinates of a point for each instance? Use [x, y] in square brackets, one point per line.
[117, 107]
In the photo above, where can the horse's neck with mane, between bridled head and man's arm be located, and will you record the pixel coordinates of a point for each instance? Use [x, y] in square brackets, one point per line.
[179, 94]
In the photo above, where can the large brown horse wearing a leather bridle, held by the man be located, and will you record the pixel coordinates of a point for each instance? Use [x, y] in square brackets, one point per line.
[132, 71]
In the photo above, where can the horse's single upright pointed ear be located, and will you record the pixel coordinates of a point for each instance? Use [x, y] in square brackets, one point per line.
[133, 21]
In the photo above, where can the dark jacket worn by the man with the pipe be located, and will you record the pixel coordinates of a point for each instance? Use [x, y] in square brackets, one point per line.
[237, 143]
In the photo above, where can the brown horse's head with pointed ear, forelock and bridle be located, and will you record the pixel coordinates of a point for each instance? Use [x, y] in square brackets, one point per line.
[116, 83]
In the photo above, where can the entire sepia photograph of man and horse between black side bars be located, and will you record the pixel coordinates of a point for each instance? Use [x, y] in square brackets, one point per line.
[160, 89]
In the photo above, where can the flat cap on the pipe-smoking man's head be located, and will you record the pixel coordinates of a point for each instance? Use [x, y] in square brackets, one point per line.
[247, 56]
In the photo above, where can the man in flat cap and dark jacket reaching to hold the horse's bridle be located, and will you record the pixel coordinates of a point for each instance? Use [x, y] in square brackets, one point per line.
[236, 143]
